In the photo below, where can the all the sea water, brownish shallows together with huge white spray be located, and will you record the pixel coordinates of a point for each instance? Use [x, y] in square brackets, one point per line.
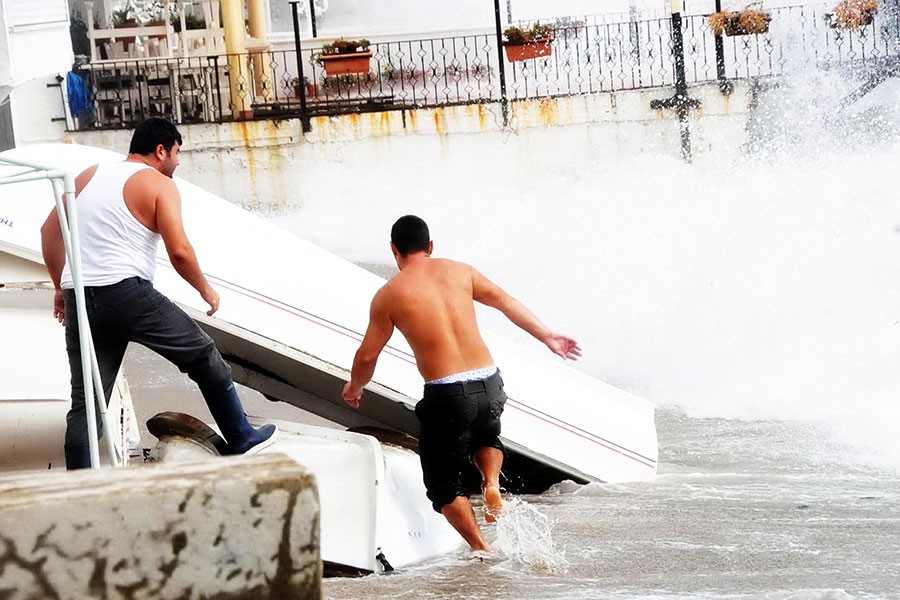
[754, 298]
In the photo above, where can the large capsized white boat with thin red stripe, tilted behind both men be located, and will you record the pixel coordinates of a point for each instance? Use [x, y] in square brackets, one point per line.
[292, 316]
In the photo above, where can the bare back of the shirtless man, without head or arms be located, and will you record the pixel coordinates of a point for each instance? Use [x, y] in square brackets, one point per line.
[431, 303]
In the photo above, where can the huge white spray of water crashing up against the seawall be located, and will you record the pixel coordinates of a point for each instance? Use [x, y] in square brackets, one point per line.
[757, 286]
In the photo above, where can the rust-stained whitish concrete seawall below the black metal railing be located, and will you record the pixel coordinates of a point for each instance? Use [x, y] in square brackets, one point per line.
[259, 164]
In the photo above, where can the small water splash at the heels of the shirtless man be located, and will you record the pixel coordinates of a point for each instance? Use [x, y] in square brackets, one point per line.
[525, 535]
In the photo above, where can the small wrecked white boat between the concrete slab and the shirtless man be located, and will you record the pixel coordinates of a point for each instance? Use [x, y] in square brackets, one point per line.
[374, 513]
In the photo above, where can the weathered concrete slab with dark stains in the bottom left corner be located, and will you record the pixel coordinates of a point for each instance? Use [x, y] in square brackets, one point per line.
[241, 527]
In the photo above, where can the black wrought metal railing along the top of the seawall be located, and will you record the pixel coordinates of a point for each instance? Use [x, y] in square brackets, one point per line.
[452, 70]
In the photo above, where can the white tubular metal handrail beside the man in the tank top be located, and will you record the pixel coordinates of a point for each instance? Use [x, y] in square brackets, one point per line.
[63, 181]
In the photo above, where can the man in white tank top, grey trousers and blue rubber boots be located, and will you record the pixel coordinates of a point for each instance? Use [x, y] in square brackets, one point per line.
[124, 209]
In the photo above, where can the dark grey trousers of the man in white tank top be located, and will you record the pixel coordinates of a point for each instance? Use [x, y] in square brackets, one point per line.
[134, 311]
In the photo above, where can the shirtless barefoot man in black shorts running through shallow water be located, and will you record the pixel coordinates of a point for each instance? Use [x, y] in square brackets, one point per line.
[431, 302]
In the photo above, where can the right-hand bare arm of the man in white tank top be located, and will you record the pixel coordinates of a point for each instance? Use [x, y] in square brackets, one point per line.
[178, 247]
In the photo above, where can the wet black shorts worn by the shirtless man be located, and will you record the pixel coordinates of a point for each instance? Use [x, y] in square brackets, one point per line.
[456, 420]
